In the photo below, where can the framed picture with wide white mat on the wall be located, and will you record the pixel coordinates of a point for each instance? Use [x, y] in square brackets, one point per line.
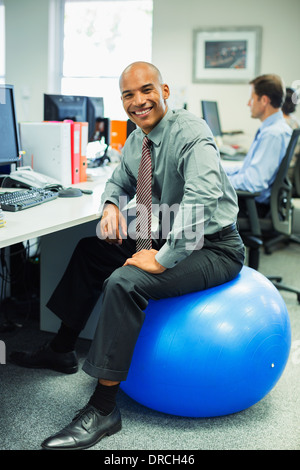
[226, 55]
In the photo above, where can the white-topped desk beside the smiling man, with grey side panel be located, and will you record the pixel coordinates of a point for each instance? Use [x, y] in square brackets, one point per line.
[60, 224]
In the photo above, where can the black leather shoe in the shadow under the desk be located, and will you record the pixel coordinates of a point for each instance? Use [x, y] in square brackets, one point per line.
[46, 358]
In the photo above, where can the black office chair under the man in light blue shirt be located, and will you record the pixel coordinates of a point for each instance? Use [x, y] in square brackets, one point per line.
[277, 225]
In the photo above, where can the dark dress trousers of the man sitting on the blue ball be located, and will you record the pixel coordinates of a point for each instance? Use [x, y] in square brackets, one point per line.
[96, 265]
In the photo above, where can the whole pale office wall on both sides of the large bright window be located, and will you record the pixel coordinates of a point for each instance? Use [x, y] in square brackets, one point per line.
[27, 61]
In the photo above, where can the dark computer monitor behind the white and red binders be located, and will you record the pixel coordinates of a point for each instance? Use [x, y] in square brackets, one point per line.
[76, 108]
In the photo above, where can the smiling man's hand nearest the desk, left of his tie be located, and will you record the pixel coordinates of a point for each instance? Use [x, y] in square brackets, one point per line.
[112, 224]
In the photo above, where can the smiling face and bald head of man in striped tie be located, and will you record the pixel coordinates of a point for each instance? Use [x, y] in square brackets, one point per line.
[143, 95]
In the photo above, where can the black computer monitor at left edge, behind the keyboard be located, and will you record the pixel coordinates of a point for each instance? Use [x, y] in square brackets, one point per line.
[9, 131]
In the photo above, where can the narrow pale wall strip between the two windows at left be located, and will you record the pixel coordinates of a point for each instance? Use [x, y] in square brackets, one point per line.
[27, 54]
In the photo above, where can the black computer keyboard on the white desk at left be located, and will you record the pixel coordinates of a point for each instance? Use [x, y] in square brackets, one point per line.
[19, 200]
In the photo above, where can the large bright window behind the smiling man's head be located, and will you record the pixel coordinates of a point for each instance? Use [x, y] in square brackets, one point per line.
[100, 39]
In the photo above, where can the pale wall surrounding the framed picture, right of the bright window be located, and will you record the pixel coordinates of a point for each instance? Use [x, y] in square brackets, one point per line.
[174, 22]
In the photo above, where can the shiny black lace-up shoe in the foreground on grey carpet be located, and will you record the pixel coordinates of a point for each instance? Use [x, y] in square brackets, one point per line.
[87, 428]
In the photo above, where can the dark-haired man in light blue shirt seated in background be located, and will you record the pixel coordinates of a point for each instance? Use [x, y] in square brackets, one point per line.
[269, 146]
